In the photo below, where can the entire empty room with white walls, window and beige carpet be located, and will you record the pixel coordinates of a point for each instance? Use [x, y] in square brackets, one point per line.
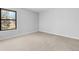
[39, 29]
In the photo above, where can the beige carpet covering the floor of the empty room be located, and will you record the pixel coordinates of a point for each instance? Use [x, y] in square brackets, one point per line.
[40, 42]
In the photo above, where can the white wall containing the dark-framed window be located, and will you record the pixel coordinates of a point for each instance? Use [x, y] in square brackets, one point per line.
[26, 23]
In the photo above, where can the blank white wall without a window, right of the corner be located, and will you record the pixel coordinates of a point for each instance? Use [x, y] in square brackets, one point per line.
[64, 22]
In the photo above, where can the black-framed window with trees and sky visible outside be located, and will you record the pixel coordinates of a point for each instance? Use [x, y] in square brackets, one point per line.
[7, 19]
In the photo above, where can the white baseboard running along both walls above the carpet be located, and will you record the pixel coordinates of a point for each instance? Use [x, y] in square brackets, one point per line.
[39, 31]
